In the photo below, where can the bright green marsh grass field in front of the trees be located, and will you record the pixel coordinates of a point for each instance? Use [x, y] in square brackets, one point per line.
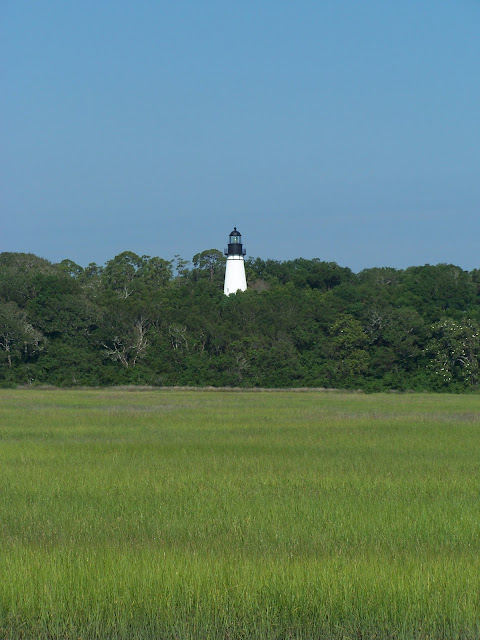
[188, 514]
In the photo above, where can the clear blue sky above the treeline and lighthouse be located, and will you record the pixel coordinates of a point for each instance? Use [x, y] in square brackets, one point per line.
[347, 130]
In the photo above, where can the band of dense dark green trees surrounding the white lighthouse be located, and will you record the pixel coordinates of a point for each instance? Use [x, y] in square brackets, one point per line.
[301, 323]
